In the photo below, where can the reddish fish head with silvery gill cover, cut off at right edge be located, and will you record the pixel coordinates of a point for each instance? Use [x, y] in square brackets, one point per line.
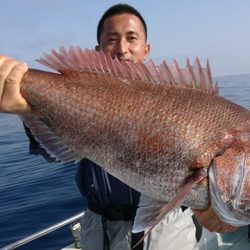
[229, 182]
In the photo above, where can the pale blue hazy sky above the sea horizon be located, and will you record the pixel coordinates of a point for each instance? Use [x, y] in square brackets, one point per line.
[217, 30]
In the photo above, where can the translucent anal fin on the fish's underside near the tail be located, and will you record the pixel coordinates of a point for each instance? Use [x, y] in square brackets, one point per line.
[53, 145]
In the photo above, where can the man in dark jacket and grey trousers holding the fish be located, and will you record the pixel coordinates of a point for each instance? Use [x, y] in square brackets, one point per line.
[112, 205]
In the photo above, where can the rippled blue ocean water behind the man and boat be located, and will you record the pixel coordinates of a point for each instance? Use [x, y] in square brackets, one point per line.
[35, 194]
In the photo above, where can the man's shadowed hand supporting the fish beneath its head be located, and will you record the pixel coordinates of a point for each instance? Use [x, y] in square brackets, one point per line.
[209, 220]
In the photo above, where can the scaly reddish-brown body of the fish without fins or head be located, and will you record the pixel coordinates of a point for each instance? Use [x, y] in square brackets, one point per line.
[150, 136]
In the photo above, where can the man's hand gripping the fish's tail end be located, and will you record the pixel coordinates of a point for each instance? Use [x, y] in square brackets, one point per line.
[11, 100]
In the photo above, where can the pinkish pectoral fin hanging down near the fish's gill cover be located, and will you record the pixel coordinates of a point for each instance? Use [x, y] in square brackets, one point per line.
[150, 212]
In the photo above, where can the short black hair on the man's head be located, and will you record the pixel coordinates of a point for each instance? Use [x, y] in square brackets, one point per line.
[119, 9]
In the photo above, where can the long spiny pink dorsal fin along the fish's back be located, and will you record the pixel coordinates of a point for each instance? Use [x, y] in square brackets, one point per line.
[83, 60]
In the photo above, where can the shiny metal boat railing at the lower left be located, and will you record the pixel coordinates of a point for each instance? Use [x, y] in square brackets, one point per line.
[42, 232]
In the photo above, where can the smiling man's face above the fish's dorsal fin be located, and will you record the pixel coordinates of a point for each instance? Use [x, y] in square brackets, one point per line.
[123, 36]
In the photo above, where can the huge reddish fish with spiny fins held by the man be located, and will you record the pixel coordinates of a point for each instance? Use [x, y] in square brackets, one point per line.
[154, 128]
